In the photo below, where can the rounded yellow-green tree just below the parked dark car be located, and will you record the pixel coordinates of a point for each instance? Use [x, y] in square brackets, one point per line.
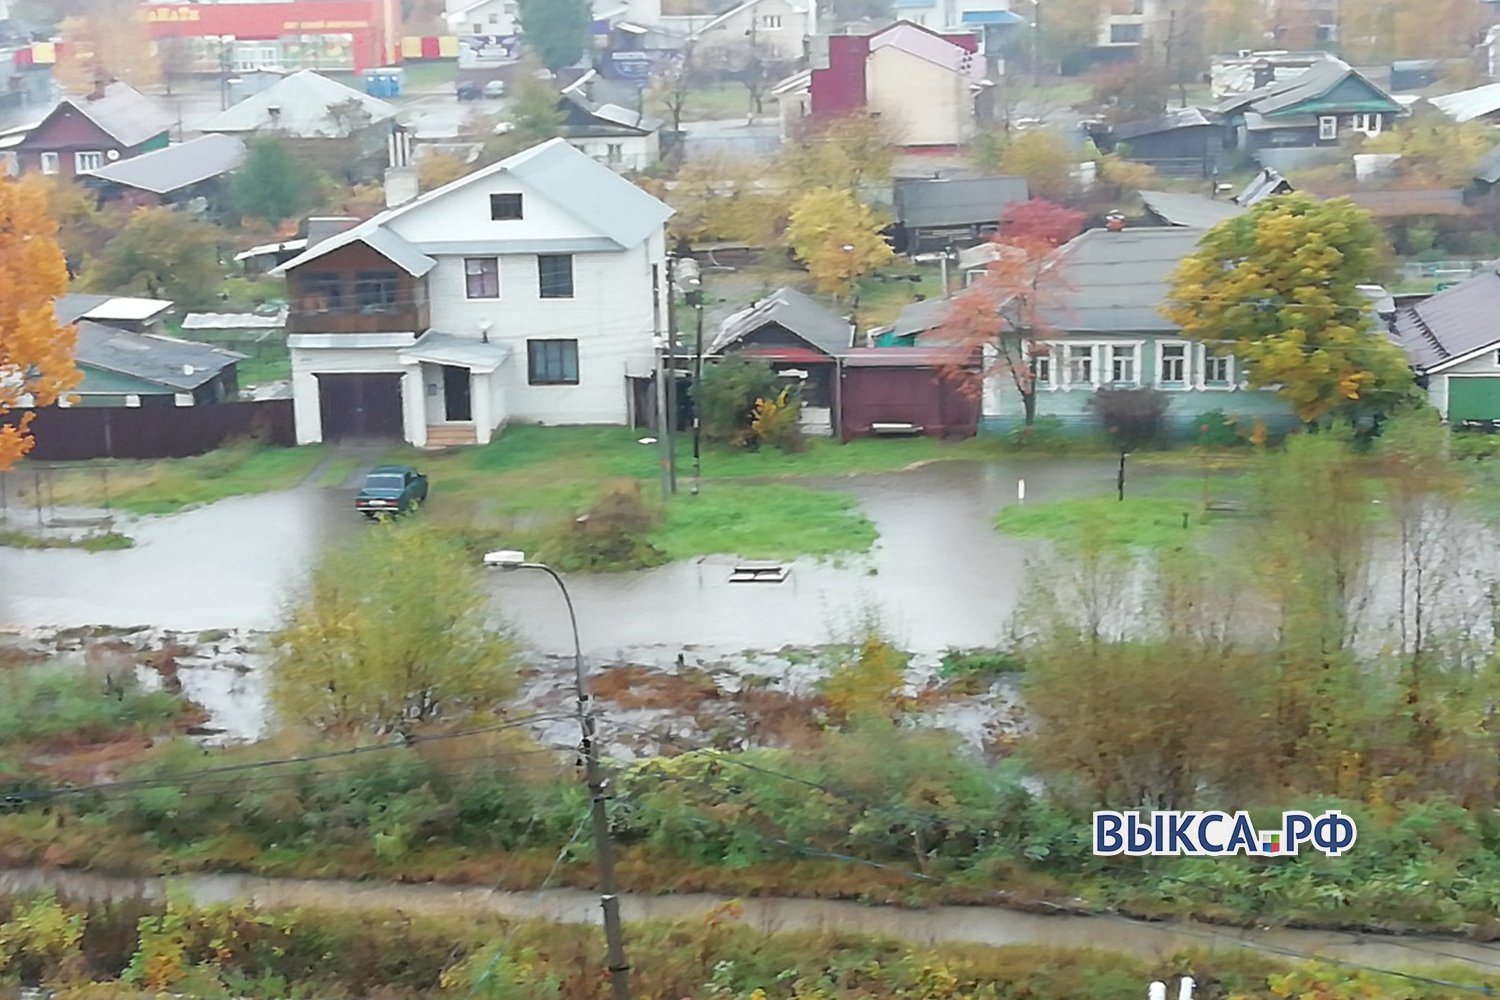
[389, 635]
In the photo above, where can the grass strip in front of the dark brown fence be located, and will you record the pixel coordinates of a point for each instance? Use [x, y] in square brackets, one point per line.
[172, 485]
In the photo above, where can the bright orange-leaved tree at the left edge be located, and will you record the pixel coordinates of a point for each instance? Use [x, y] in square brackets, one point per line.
[37, 353]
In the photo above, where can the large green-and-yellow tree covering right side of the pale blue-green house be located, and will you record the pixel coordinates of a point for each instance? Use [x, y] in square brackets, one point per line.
[1277, 289]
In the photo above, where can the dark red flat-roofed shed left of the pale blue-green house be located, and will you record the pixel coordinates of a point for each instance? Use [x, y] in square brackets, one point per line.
[910, 391]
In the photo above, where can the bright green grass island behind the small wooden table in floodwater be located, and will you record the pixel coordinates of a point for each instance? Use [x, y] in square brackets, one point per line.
[764, 522]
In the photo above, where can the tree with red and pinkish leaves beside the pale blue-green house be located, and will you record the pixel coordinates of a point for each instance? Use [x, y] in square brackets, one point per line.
[1003, 317]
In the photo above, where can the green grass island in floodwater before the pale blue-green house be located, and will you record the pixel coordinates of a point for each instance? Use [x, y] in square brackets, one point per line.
[1138, 522]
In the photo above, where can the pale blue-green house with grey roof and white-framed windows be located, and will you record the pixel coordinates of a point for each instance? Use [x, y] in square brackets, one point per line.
[1106, 331]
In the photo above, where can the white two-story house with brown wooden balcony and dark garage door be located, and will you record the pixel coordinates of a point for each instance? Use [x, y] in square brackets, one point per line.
[529, 292]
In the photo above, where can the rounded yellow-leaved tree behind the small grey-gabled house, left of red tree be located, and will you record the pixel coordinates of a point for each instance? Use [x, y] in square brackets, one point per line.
[838, 238]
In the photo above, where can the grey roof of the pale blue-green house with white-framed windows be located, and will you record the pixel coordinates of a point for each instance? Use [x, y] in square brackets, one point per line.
[1117, 283]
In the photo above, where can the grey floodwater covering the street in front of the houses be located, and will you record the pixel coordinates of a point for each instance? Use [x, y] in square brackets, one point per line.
[940, 576]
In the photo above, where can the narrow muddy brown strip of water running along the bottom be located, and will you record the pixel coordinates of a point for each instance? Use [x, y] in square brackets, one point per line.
[977, 926]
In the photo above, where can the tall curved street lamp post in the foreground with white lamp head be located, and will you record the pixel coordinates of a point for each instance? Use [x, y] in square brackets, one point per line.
[598, 785]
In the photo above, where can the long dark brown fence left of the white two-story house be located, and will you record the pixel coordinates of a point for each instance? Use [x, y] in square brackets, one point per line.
[154, 433]
